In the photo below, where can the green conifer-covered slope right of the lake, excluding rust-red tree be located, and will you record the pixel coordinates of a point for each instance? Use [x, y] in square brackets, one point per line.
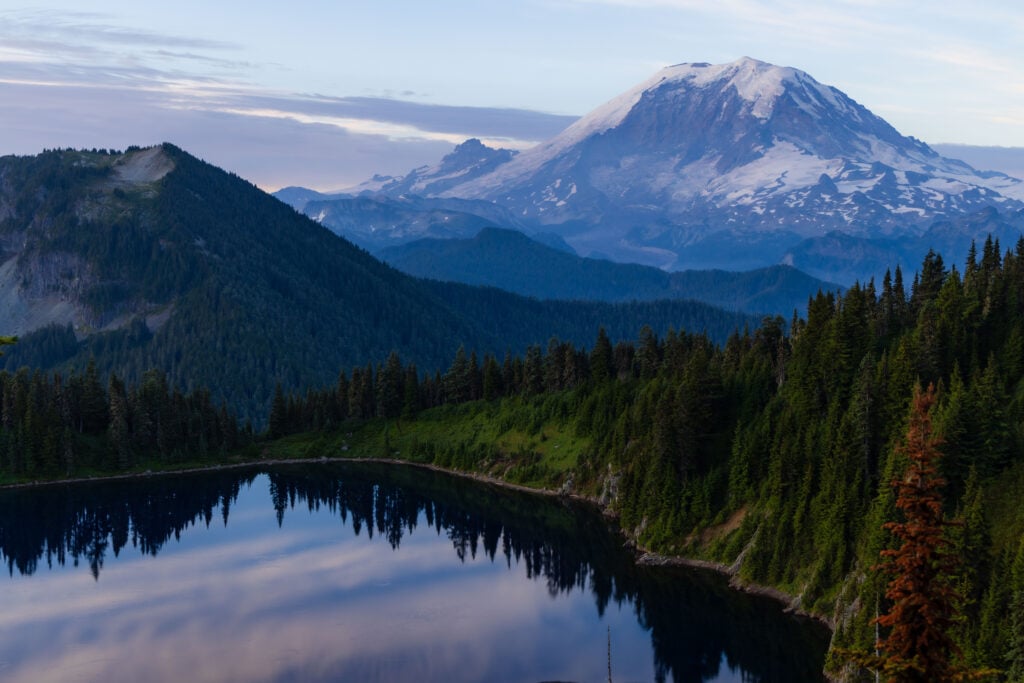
[774, 453]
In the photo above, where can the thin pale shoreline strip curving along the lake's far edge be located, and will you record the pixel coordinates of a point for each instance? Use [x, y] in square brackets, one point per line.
[644, 557]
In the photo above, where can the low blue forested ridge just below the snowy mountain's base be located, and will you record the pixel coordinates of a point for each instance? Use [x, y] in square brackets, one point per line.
[513, 262]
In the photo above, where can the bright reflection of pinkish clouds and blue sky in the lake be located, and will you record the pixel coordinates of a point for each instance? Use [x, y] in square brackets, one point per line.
[308, 603]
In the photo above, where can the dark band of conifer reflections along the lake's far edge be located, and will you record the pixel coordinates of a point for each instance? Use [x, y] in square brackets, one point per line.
[696, 622]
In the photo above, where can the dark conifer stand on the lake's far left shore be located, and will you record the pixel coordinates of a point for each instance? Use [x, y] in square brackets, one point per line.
[54, 426]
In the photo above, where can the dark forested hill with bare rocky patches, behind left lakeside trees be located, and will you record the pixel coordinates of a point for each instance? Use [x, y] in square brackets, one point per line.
[153, 260]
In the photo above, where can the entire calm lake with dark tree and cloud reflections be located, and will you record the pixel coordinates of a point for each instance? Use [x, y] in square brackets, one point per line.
[359, 573]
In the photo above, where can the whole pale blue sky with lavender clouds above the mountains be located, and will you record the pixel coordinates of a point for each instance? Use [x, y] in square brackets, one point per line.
[326, 94]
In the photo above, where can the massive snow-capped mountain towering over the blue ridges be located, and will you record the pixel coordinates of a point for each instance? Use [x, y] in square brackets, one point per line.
[746, 153]
